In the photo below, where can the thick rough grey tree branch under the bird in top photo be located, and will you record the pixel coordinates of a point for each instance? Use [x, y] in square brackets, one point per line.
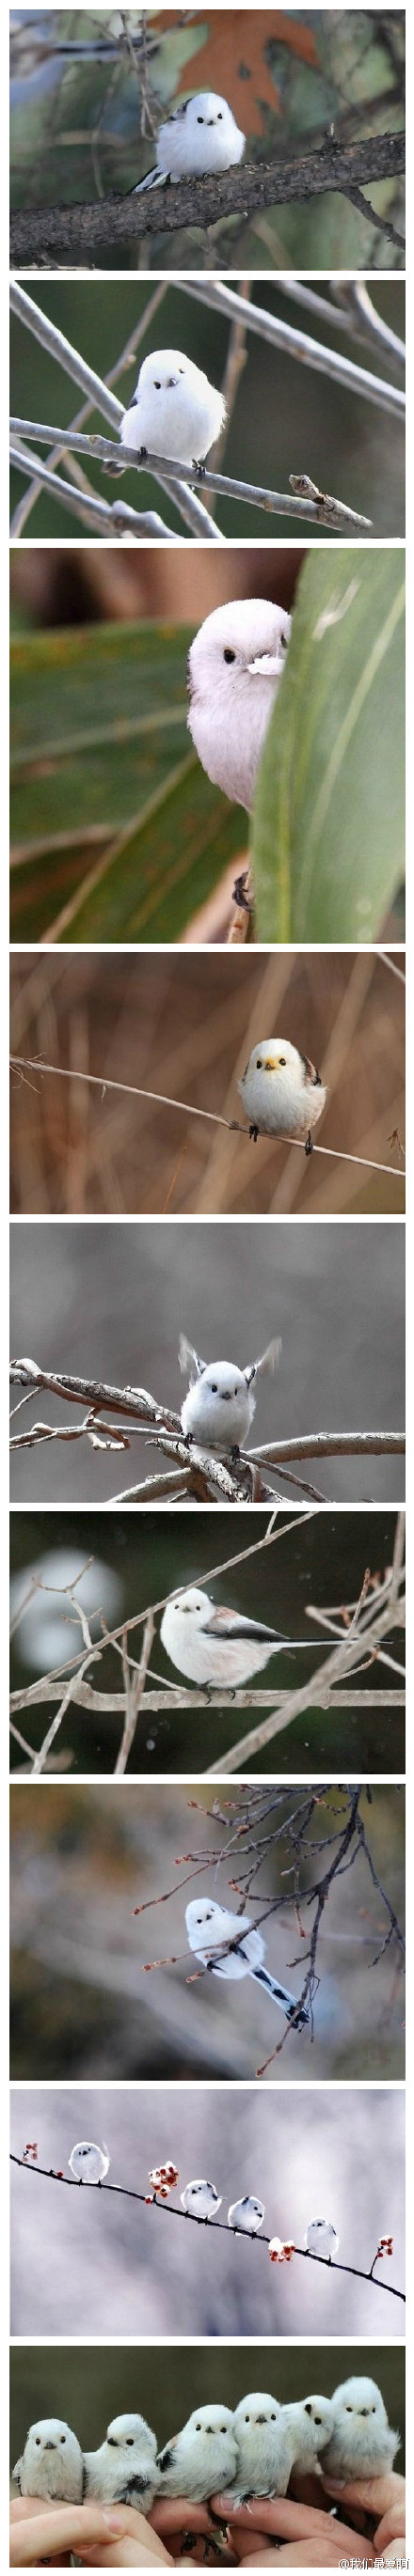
[207, 202]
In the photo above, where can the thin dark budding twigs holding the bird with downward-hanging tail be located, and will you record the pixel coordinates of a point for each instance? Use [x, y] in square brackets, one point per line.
[253, 1838]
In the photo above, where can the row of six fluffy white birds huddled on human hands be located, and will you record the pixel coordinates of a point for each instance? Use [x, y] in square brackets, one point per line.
[240, 2454]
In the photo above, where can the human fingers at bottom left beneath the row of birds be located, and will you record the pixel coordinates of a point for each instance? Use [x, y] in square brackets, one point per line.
[99, 2536]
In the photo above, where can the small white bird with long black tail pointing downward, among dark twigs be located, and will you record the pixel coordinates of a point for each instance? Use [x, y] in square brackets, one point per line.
[210, 1933]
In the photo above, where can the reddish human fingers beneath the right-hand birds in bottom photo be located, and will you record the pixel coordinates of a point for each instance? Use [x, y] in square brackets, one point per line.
[310, 2536]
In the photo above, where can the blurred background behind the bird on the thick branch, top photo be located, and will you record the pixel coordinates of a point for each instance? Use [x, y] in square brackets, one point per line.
[91, 89]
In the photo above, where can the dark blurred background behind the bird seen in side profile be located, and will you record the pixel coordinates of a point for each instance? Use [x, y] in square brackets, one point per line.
[135, 1562]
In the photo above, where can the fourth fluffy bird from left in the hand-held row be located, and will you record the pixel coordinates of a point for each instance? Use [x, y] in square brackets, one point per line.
[264, 2448]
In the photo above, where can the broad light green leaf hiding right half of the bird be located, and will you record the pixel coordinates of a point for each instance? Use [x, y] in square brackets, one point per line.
[328, 833]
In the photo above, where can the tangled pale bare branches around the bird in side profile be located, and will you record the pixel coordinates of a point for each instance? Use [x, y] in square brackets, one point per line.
[361, 1640]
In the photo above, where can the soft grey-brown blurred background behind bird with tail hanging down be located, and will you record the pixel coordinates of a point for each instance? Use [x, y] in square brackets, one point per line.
[84, 2003]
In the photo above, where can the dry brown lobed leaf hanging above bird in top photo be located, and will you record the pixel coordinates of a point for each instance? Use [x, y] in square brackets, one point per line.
[233, 58]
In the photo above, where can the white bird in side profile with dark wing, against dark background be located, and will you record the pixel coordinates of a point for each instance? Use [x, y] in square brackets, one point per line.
[215, 1645]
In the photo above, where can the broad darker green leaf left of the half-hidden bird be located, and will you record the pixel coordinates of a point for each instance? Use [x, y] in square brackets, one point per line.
[117, 833]
